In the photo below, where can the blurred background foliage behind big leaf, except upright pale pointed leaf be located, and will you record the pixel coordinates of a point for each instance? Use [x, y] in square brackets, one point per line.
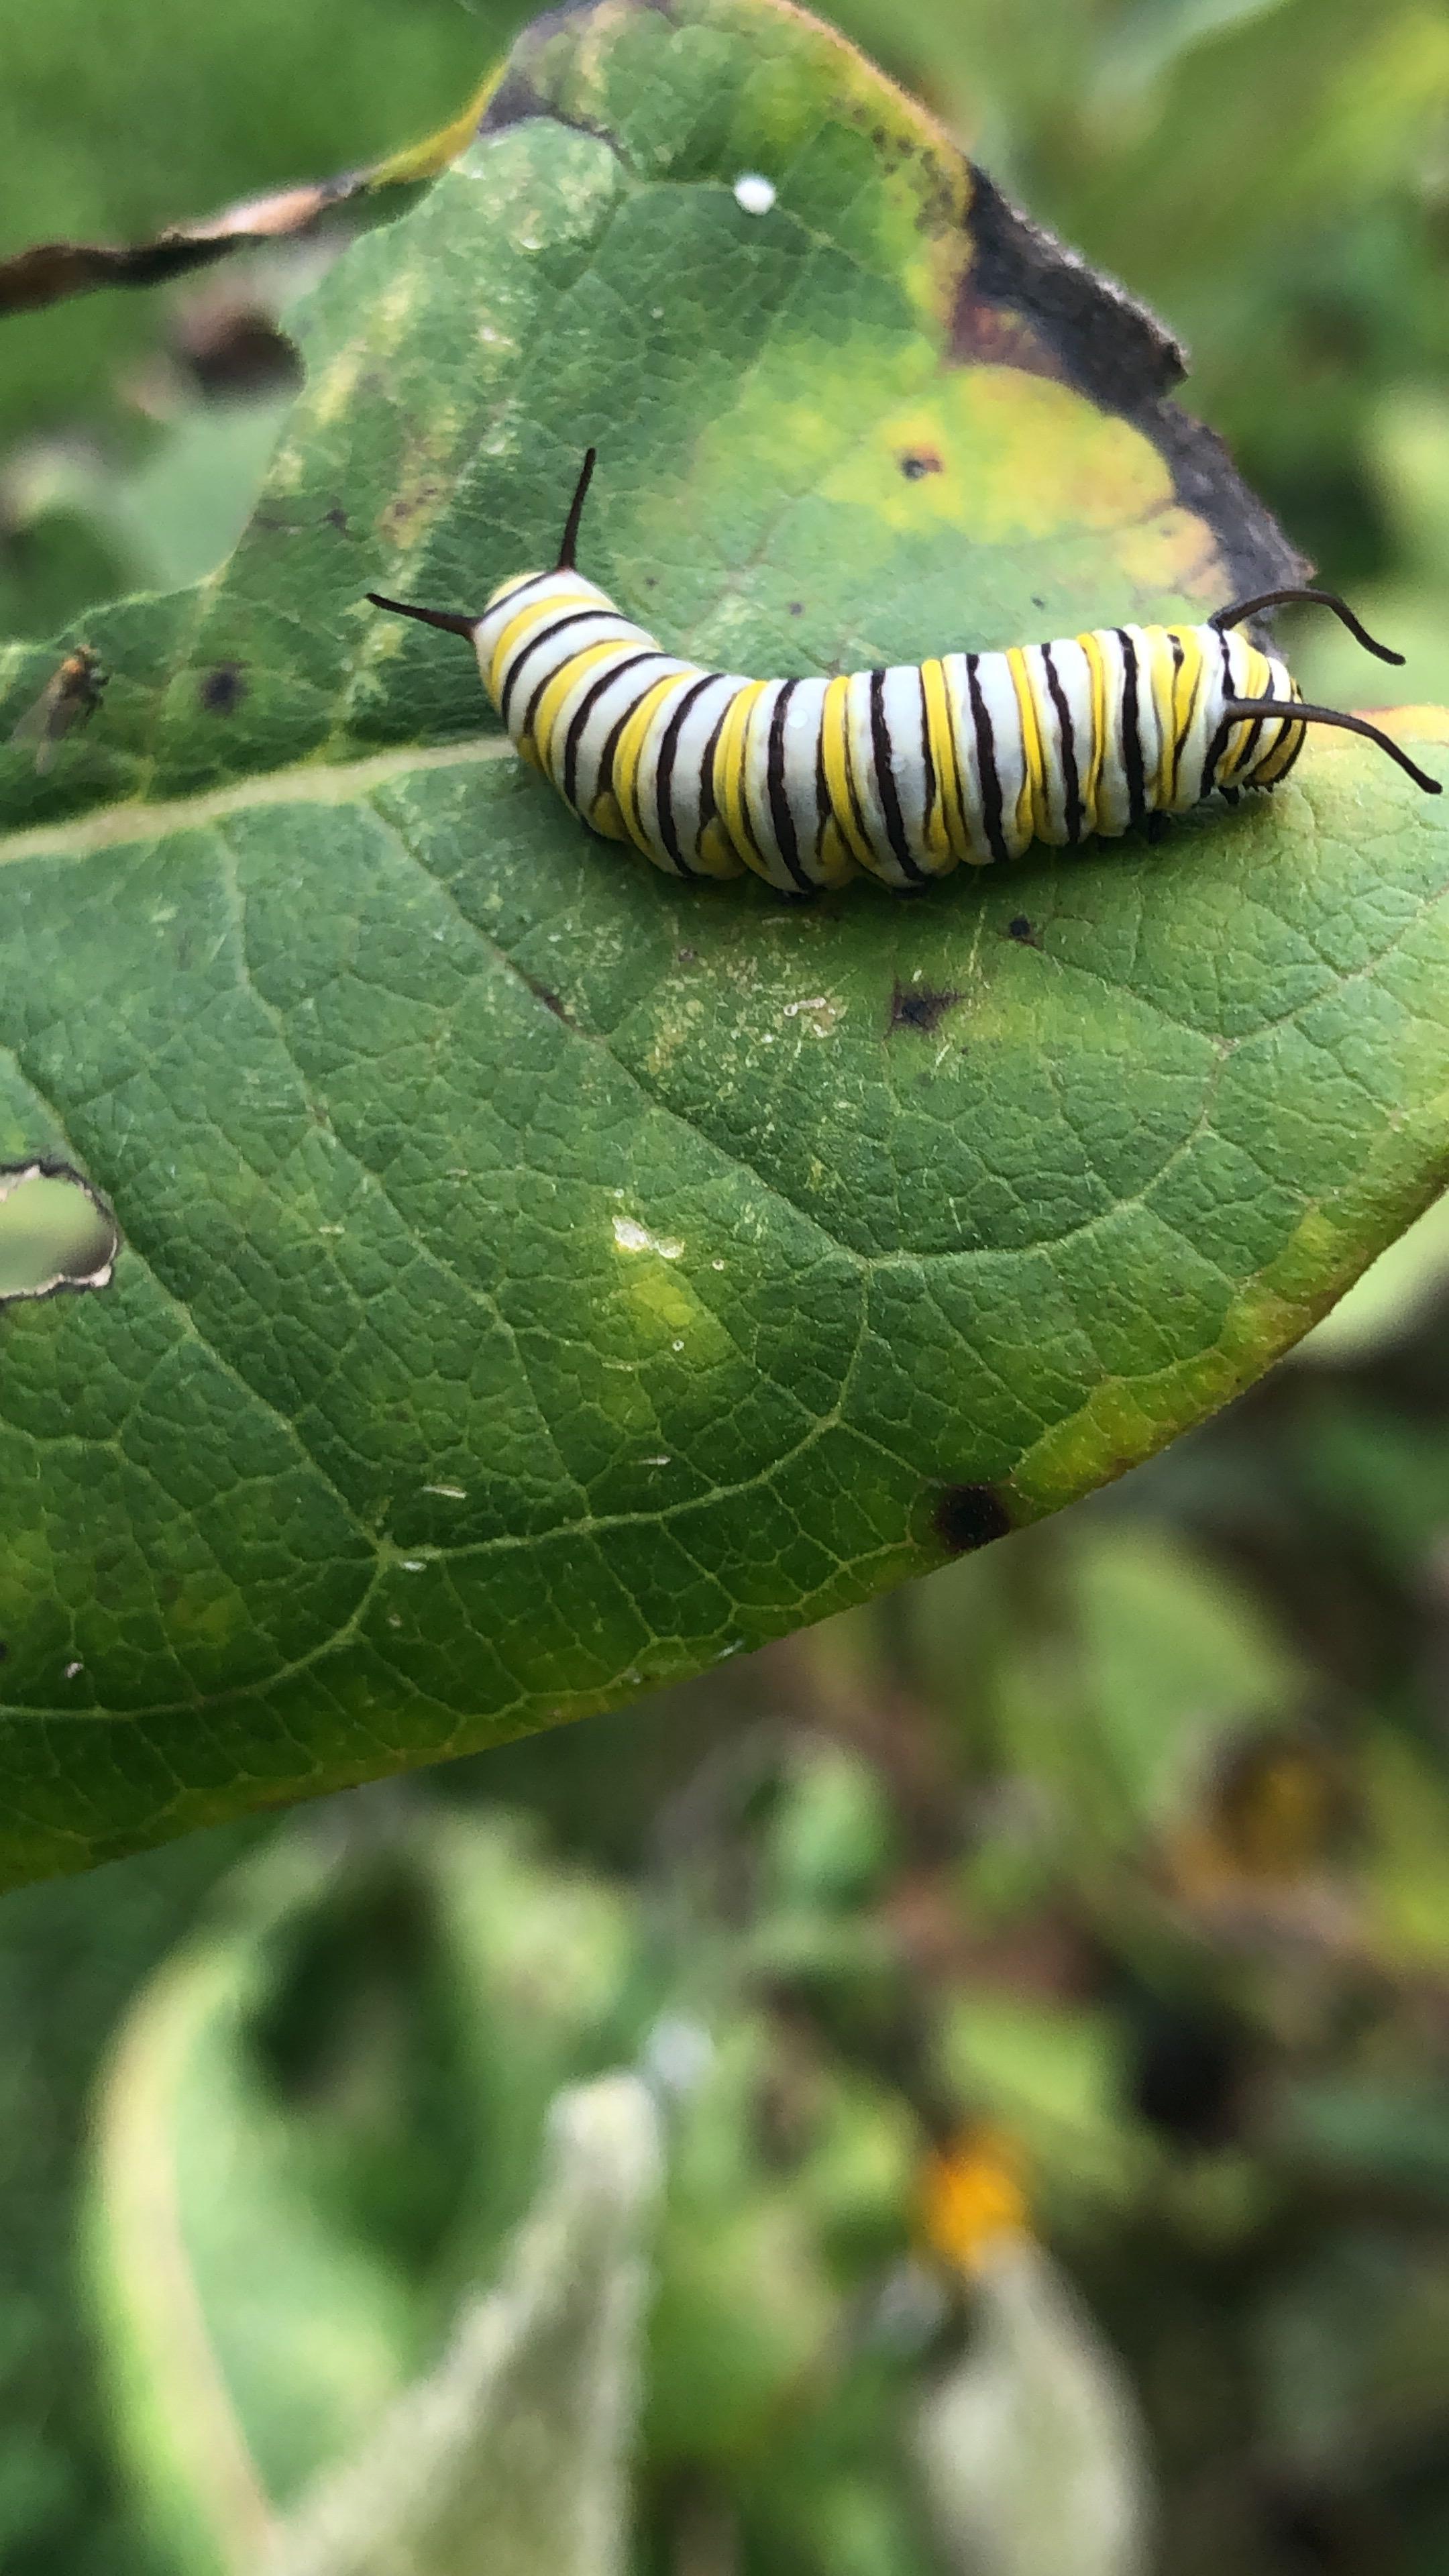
[1045, 1972]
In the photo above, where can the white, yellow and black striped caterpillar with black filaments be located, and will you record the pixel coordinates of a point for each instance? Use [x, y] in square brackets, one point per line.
[896, 772]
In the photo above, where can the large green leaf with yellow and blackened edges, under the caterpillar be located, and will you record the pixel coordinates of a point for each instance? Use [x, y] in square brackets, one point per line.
[540, 1279]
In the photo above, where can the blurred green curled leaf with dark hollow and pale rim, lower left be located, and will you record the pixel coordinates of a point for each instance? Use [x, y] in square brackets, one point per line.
[318, 2132]
